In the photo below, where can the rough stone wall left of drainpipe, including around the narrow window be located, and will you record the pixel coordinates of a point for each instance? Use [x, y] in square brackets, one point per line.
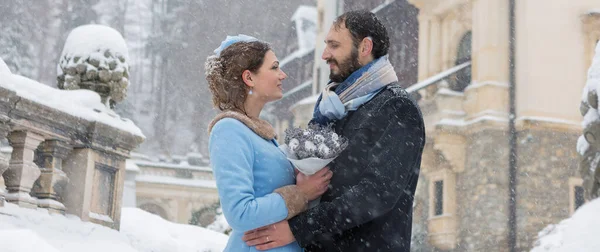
[481, 195]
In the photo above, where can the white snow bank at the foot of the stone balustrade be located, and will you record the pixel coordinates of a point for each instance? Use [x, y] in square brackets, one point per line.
[37, 230]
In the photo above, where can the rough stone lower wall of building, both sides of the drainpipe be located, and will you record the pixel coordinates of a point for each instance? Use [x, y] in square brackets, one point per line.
[546, 160]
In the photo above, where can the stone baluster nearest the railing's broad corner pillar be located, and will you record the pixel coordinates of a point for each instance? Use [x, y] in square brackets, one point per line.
[50, 186]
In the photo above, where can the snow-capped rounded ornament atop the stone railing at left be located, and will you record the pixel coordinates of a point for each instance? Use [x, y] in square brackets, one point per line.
[95, 57]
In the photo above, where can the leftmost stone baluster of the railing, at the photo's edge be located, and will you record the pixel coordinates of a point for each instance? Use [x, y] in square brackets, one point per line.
[22, 171]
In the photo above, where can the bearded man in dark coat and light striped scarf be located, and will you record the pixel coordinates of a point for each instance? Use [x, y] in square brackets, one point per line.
[368, 206]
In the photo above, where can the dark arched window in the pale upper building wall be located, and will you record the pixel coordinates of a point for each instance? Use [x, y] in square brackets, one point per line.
[462, 78]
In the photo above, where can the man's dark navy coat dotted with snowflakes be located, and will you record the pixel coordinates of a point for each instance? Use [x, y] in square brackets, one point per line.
[368, 206]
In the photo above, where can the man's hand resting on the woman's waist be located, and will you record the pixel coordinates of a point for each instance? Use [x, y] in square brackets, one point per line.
[271, 236]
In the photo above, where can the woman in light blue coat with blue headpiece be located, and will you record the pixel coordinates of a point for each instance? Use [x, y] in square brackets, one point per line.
[254, 179]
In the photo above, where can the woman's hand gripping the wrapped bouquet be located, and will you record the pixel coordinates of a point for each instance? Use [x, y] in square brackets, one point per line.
[314, 185]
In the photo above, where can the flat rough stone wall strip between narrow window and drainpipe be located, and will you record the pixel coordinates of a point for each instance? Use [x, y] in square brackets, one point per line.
[482, 193]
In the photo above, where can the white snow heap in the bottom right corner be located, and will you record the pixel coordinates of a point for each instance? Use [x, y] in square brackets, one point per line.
[578, 233]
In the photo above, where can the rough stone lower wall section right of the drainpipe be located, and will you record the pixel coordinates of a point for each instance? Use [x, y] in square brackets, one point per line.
[547, 159]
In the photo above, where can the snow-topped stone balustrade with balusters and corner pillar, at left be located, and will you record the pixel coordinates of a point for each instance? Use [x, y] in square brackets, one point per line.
[62, 161]
